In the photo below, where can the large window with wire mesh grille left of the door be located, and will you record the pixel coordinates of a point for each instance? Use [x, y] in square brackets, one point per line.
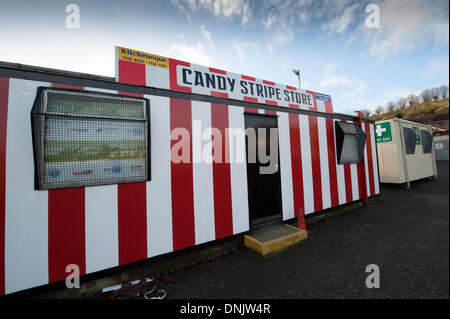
[85, 138]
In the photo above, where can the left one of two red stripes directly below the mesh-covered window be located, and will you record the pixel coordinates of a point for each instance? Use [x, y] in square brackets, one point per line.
[66, 231]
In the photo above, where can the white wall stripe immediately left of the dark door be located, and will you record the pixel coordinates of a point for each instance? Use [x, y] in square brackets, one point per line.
[238, 174]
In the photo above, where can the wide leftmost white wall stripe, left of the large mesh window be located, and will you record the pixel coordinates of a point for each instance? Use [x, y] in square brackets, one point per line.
[26, 211]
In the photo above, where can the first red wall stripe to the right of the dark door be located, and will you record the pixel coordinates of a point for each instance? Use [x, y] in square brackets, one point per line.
[296, 163]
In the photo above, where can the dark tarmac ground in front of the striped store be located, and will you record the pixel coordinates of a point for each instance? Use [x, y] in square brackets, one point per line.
[405, 233]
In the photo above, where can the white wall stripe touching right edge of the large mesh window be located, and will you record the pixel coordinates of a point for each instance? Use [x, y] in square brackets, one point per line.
[159, 198]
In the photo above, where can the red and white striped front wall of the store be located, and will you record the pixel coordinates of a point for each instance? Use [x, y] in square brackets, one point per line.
[183, 205]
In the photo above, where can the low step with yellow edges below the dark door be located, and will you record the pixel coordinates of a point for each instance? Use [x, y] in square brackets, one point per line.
[274, 238]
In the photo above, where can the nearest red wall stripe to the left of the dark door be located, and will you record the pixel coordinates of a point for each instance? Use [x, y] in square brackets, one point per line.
[223, 215]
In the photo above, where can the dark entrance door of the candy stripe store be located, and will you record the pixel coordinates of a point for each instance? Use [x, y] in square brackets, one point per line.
[264, 190]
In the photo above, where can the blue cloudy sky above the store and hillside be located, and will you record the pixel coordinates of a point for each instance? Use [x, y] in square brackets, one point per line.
[328, 40]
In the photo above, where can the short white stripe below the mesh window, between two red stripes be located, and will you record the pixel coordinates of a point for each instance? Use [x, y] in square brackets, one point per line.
[102, 240]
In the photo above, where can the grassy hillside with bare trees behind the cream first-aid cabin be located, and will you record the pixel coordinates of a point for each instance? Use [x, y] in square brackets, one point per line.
[420, 111]
